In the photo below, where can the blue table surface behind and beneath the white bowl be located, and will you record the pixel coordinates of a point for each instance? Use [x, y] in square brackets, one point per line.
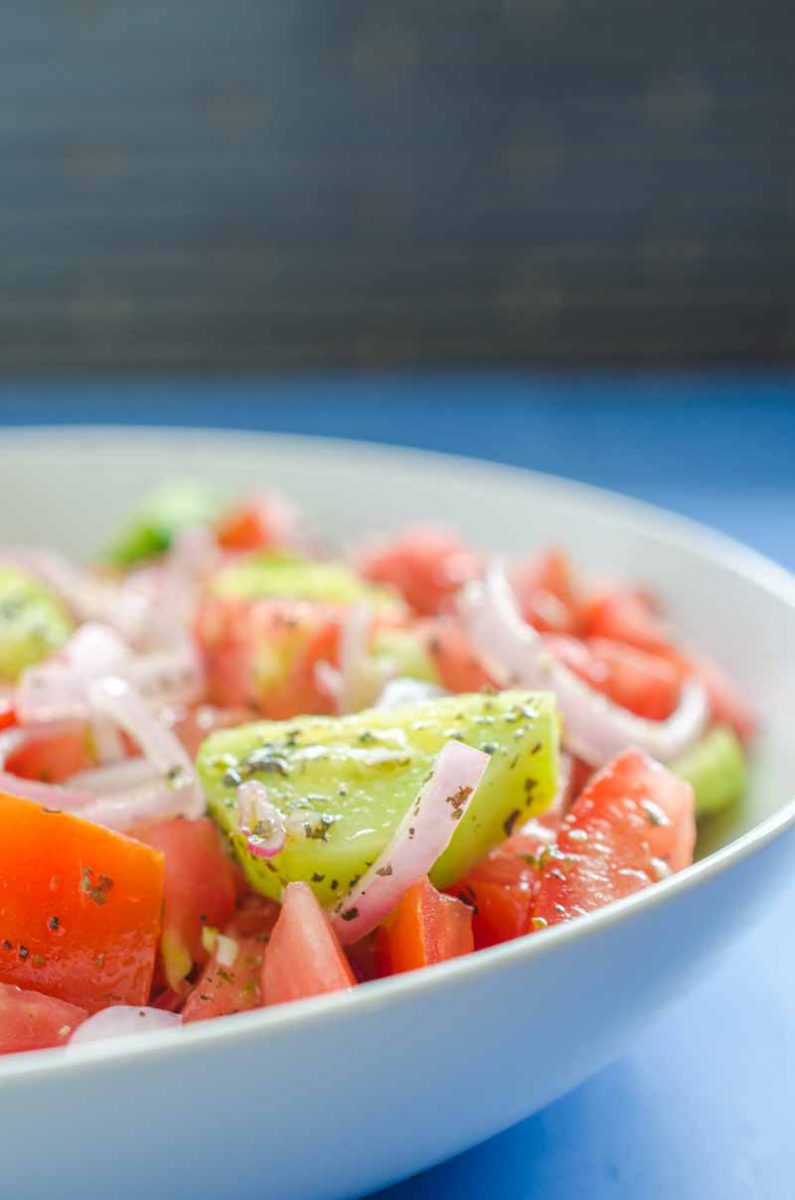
[703, 1106]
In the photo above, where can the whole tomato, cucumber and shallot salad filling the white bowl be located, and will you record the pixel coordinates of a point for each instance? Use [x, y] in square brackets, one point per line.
[241, 766]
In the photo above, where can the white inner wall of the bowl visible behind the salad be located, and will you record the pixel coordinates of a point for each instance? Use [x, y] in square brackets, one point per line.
[71, 488]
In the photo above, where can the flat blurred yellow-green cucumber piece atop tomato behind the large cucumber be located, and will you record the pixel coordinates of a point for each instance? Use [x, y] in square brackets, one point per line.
[267, 575]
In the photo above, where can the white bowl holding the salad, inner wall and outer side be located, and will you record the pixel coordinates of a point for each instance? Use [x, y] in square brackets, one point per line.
[339, 1096]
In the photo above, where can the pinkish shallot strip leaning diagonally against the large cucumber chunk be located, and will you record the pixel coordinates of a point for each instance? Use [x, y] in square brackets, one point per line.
[423, 835]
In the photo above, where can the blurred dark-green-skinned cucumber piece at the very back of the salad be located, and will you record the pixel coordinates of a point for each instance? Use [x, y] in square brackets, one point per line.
[152, 529]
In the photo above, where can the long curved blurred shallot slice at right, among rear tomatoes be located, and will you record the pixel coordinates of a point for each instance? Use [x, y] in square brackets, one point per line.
[594, 728]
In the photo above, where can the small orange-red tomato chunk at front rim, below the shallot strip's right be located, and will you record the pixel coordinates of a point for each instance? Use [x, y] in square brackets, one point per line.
[427, 927]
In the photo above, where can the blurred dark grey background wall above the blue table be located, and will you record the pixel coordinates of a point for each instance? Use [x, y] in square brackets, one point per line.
[270, 183]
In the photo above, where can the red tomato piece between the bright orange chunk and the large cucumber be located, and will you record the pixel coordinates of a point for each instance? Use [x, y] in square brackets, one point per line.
[201, 890]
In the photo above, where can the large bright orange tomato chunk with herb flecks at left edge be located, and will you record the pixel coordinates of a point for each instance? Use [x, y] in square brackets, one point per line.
[80, 908]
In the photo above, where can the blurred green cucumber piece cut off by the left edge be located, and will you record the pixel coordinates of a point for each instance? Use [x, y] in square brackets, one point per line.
[34, 623]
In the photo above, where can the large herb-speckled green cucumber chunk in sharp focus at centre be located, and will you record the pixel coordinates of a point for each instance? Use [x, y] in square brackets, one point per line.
[344, 783]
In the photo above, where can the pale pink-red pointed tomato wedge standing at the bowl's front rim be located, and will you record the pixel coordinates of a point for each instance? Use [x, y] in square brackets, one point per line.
[304, 957]
